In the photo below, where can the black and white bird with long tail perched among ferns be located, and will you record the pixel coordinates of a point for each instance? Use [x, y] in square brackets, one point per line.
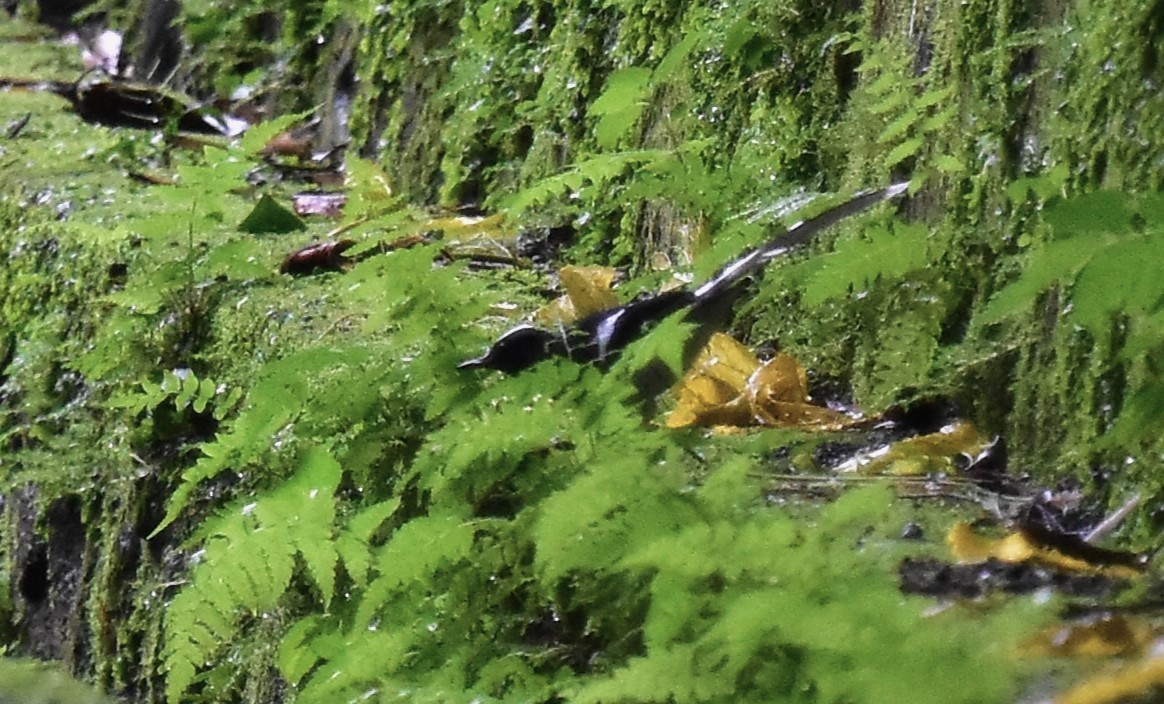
[600, 337]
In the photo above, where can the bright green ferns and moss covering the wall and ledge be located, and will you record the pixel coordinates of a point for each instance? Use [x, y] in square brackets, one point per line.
[288, 493]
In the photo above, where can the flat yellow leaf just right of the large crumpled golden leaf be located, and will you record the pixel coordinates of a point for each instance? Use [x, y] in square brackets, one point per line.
[924, 454]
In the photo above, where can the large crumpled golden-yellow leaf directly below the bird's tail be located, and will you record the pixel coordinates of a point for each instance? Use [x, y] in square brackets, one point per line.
[728, 386]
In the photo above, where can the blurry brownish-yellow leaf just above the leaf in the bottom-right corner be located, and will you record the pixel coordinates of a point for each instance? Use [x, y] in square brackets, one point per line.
[1105, 637]
